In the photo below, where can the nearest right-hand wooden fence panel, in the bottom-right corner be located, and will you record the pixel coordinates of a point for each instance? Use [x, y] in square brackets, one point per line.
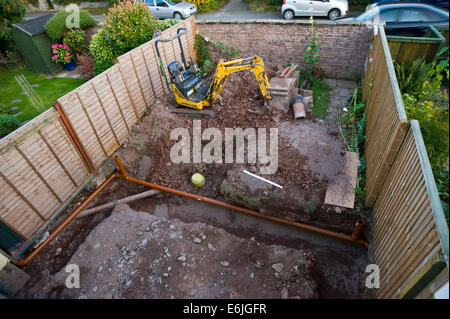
[410, 230]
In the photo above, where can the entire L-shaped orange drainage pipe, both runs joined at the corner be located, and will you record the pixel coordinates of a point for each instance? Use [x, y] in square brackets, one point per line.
[124, 175]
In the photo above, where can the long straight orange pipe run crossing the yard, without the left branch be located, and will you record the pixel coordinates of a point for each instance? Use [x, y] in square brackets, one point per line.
[124, 175]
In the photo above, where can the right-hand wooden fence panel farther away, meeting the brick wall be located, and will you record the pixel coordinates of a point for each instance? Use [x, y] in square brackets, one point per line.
[386, 116]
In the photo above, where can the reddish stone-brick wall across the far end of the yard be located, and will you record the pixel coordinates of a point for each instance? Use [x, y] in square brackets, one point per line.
[343, 45]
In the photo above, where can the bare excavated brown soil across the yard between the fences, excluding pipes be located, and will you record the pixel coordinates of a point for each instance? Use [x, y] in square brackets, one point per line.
[310, 155]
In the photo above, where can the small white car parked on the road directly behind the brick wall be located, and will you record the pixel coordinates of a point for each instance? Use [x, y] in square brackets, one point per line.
[323, 8]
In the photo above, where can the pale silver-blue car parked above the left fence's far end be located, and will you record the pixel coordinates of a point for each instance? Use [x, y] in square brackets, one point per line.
[164, 9]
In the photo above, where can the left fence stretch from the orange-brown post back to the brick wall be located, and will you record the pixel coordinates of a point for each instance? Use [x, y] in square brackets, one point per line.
[102, 111]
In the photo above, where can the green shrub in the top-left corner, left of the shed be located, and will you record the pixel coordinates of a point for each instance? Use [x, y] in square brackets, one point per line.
[11, 11]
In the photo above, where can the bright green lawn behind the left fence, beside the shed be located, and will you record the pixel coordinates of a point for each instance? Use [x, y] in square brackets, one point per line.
[49, 90]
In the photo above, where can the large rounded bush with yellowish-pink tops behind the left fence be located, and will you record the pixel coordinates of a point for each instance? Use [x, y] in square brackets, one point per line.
[129, 25]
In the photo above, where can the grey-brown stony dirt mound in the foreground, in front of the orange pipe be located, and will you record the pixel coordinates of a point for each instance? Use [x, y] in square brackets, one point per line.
[137, 255]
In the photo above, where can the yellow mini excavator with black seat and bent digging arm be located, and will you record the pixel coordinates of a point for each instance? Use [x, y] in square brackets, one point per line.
[192, 90]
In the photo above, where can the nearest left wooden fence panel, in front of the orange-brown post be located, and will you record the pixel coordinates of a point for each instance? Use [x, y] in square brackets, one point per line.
[40, 169]
